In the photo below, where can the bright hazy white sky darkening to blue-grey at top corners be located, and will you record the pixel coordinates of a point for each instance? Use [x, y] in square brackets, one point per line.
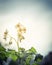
[35, 15]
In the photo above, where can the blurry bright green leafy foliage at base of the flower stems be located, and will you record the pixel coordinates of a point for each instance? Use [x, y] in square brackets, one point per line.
[23, 56]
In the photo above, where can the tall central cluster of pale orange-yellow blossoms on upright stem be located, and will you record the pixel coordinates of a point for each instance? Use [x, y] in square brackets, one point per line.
[20, 30]
